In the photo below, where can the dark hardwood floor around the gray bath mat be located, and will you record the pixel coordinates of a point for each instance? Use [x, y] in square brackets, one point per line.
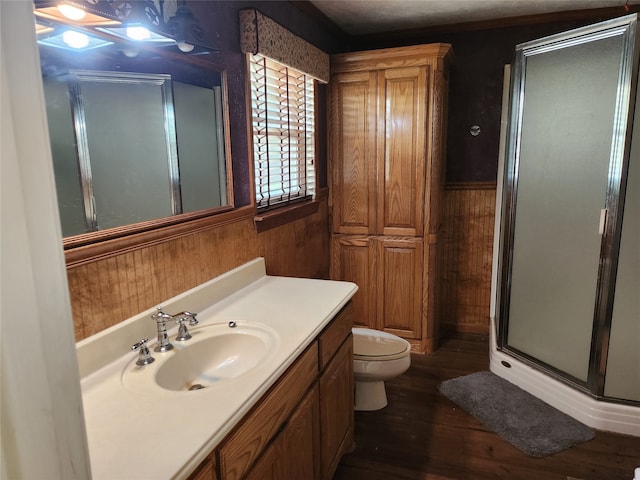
[423, 435]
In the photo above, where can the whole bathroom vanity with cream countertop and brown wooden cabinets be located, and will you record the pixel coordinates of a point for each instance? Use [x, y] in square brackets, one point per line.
[288, 416]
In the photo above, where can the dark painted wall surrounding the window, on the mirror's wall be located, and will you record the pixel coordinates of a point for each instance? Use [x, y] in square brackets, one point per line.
[220, 20]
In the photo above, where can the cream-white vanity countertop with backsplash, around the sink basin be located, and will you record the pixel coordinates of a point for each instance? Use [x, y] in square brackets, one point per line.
[161, 434]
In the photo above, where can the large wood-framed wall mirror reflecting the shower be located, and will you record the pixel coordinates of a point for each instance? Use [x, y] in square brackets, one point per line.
[139, 135]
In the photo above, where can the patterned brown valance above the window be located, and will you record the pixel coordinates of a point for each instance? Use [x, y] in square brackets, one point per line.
[260, 34]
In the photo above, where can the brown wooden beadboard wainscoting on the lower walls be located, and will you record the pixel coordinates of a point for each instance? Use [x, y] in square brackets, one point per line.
[109, 290]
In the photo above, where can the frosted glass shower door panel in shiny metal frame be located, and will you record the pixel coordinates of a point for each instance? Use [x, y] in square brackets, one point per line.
[568, 120]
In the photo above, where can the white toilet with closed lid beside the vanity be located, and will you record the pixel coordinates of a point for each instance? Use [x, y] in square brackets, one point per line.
[377, 356]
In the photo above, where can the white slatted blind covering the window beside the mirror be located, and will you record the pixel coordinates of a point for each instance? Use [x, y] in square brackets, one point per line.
[283, 121]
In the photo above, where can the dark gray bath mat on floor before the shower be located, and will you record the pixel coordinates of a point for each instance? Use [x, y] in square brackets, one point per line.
[528, 423]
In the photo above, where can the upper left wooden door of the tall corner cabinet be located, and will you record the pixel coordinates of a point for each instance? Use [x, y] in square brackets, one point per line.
[352, 146]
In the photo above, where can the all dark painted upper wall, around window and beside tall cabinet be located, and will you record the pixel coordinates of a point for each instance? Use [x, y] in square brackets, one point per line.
[475, 85]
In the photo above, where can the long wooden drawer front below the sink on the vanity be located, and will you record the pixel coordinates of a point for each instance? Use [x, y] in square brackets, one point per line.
[245, 444]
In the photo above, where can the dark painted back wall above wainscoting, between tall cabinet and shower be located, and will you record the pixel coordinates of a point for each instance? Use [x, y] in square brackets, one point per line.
[475, 96]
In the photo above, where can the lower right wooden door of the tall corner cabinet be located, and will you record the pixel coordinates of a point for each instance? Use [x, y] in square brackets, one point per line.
[399, 286]
